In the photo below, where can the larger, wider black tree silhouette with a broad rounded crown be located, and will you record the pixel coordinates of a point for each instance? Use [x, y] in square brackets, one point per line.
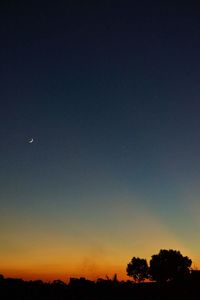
[169, 265]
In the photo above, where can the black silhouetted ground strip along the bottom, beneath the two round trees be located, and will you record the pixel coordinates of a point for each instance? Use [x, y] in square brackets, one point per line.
[100, 290]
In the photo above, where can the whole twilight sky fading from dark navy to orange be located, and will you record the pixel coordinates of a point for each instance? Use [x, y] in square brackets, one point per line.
[109, 91]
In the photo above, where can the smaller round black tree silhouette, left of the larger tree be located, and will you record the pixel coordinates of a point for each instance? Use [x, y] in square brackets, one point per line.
[138, 269]
